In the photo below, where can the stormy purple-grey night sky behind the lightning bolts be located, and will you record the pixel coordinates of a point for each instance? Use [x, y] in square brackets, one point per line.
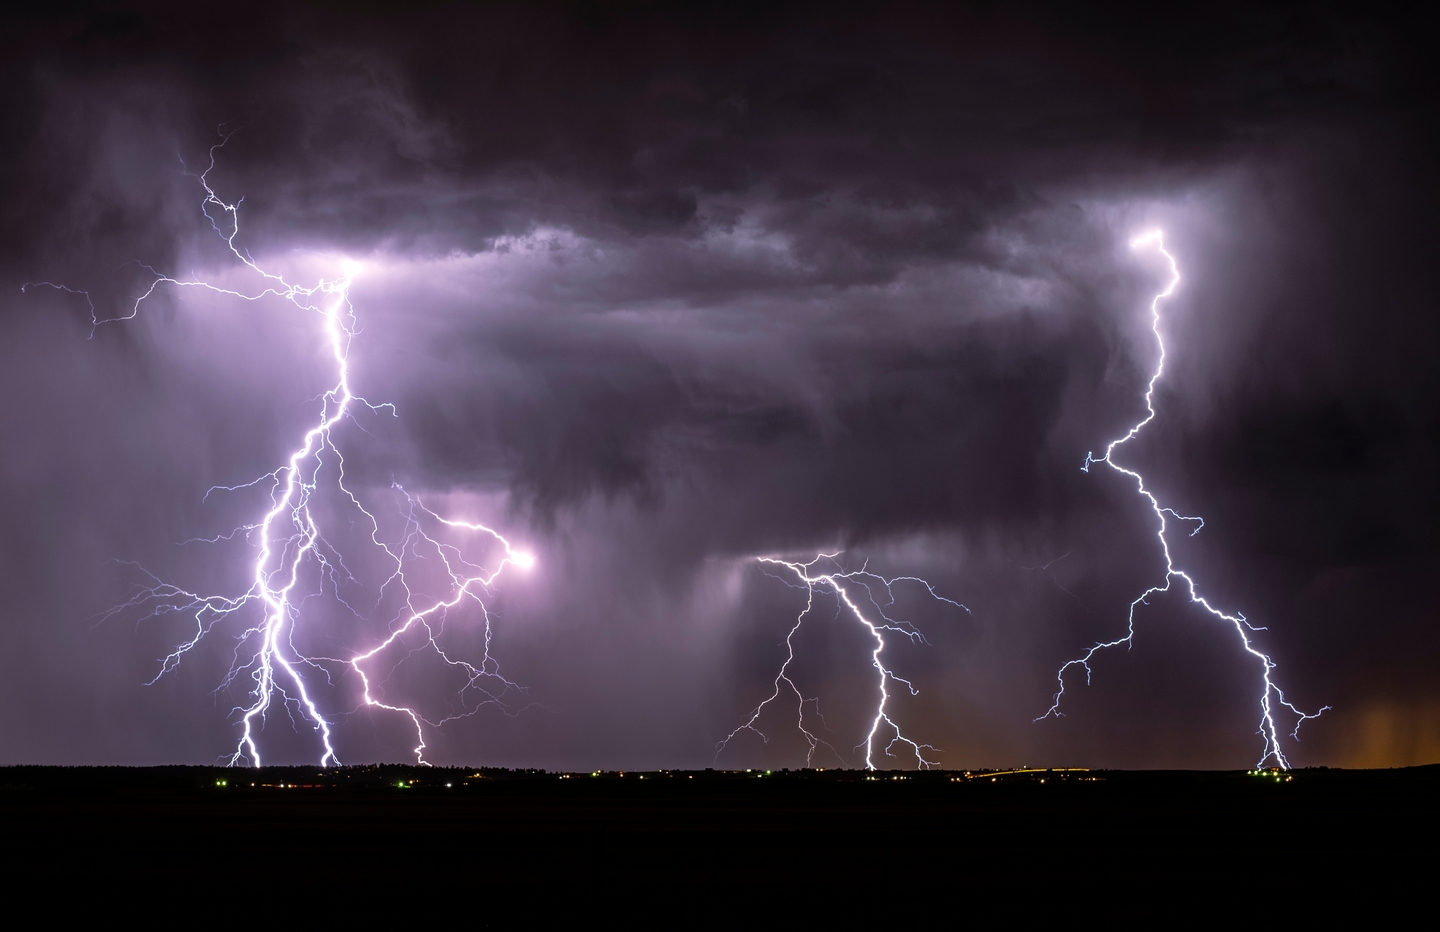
[657, 290]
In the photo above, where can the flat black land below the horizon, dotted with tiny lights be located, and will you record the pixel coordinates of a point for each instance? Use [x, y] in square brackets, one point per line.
[732, 848]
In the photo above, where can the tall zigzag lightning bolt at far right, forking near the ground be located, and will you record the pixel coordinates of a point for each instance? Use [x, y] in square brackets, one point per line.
[1271, 695]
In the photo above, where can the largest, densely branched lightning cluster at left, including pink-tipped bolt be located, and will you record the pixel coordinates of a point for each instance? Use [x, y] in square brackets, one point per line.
[289, 545]
